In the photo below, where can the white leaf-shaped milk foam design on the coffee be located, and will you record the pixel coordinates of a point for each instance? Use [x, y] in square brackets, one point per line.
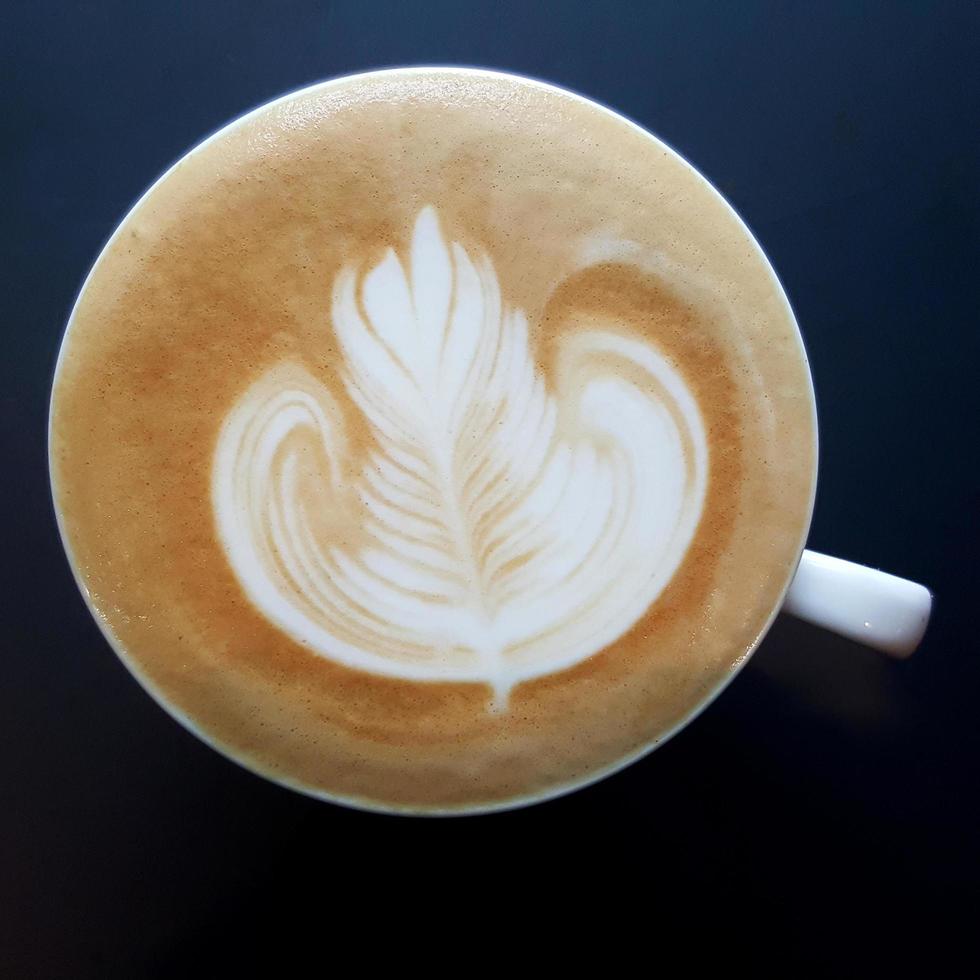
[496, 528]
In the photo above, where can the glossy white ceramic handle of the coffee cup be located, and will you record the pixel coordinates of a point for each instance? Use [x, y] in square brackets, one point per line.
[879, 610]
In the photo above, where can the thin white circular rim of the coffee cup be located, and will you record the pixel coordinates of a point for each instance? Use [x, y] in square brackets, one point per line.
[369, 805]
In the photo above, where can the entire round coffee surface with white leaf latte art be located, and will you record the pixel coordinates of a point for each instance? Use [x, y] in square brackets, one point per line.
[432, 440]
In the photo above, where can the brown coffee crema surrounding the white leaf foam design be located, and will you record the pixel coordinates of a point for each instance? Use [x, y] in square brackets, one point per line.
[226, 267]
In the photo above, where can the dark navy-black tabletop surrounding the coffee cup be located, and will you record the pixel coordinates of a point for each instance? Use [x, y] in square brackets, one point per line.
[822, 817]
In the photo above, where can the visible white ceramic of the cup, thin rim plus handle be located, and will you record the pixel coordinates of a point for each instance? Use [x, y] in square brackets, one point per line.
[879, 610]
